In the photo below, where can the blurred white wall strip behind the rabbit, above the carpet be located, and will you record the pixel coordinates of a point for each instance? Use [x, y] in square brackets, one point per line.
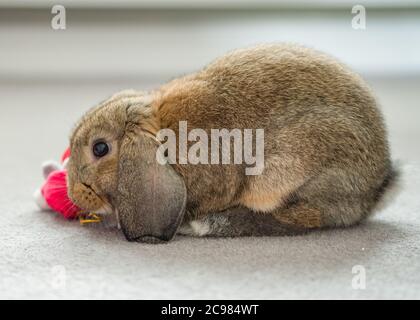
[156, 43]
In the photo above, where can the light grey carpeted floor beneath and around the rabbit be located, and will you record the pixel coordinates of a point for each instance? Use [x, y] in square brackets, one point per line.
[44, 256]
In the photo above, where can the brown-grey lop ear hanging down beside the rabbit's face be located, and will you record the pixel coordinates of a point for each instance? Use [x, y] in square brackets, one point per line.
[151, 197]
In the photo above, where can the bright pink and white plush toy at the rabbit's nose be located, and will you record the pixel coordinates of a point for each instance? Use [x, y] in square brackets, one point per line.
[53, 193]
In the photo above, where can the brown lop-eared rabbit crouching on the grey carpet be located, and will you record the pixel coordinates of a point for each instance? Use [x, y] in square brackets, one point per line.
[326, 155]
